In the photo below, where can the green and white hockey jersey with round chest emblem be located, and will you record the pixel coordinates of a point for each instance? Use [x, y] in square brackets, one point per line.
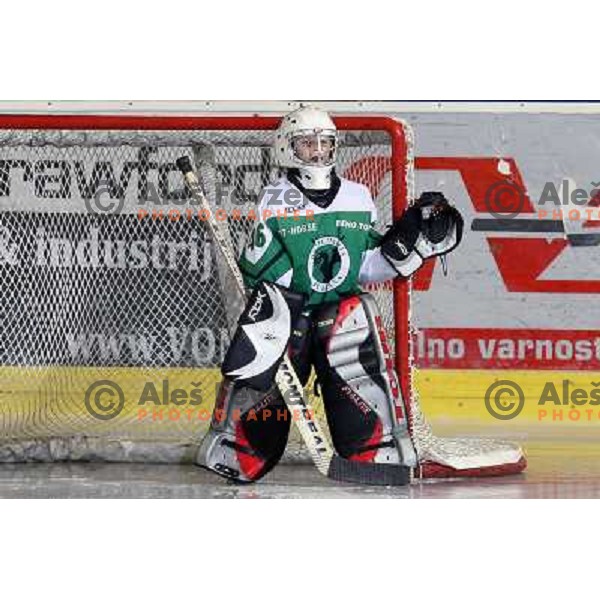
[324, 253]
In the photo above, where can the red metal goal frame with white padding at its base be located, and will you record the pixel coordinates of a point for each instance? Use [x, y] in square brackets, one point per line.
[438, 457]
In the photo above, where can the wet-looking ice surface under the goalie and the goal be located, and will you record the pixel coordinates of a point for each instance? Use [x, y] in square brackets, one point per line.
[560, 466]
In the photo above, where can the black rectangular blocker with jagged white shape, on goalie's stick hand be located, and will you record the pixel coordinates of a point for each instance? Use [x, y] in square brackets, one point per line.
[262, 336]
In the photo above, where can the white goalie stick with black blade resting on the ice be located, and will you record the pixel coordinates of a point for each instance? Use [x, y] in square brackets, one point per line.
[327, 461]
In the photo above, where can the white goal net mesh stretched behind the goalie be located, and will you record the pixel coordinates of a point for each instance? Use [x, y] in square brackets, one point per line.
[115, 309]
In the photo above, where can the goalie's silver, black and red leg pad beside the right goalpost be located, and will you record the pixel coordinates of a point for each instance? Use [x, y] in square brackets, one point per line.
[361, 393]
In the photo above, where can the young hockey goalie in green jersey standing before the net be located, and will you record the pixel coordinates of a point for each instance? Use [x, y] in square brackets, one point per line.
[305, 275]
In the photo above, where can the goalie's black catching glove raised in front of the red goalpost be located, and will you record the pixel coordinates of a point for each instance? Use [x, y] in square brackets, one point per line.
[431, 227]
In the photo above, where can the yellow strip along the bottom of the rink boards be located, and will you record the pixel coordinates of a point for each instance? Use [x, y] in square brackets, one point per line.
[176, 403]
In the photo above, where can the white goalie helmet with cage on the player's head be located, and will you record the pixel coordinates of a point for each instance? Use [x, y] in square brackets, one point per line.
[307, 140]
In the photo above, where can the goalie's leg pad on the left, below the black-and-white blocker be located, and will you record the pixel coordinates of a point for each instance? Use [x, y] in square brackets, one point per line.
[249, 428]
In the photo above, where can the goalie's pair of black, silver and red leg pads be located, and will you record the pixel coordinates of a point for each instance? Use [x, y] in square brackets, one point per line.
[345, 343]
